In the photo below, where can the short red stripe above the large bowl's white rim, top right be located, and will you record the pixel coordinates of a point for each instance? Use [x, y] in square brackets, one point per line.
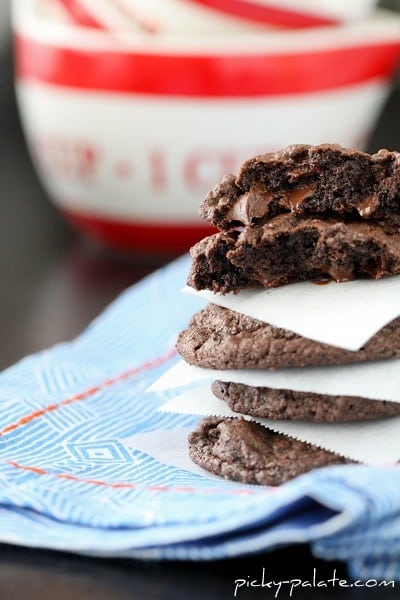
[267, 15]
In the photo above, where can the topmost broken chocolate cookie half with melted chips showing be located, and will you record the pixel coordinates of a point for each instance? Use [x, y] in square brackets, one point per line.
[324, 180]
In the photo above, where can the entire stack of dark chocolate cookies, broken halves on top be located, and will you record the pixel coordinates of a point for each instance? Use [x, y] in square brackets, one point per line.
[318, 213]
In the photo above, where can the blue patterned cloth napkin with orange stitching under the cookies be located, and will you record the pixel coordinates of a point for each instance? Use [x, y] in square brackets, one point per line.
[71, 477]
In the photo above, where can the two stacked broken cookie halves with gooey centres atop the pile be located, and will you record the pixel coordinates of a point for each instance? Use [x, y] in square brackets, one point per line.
[306, 212]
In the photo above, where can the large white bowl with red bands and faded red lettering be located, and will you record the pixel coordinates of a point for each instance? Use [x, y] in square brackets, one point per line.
[129, 132]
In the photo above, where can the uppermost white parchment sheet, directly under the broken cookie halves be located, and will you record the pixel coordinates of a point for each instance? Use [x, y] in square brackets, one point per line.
[345, 315]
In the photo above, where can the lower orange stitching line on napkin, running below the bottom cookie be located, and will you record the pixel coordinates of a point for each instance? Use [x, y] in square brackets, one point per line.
[133, 486]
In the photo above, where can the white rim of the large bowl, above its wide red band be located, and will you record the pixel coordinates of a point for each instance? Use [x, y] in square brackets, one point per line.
[383, 27]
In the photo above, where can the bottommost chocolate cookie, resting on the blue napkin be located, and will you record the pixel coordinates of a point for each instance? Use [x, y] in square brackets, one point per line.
[248, 452]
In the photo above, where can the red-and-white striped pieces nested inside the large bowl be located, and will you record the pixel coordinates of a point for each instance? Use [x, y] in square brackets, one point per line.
[211, 16]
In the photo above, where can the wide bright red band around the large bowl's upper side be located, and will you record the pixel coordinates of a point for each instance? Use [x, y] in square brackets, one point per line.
[204, 75]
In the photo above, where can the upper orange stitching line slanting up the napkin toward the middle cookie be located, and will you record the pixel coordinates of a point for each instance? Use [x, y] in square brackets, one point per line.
[89, 392]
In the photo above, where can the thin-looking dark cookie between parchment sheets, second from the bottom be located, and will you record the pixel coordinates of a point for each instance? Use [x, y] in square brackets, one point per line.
[301, 406]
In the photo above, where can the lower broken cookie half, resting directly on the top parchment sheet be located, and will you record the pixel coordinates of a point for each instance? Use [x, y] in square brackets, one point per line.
[289, 249]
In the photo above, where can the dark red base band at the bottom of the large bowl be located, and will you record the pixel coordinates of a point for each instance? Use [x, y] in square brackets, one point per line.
[152, 238]
